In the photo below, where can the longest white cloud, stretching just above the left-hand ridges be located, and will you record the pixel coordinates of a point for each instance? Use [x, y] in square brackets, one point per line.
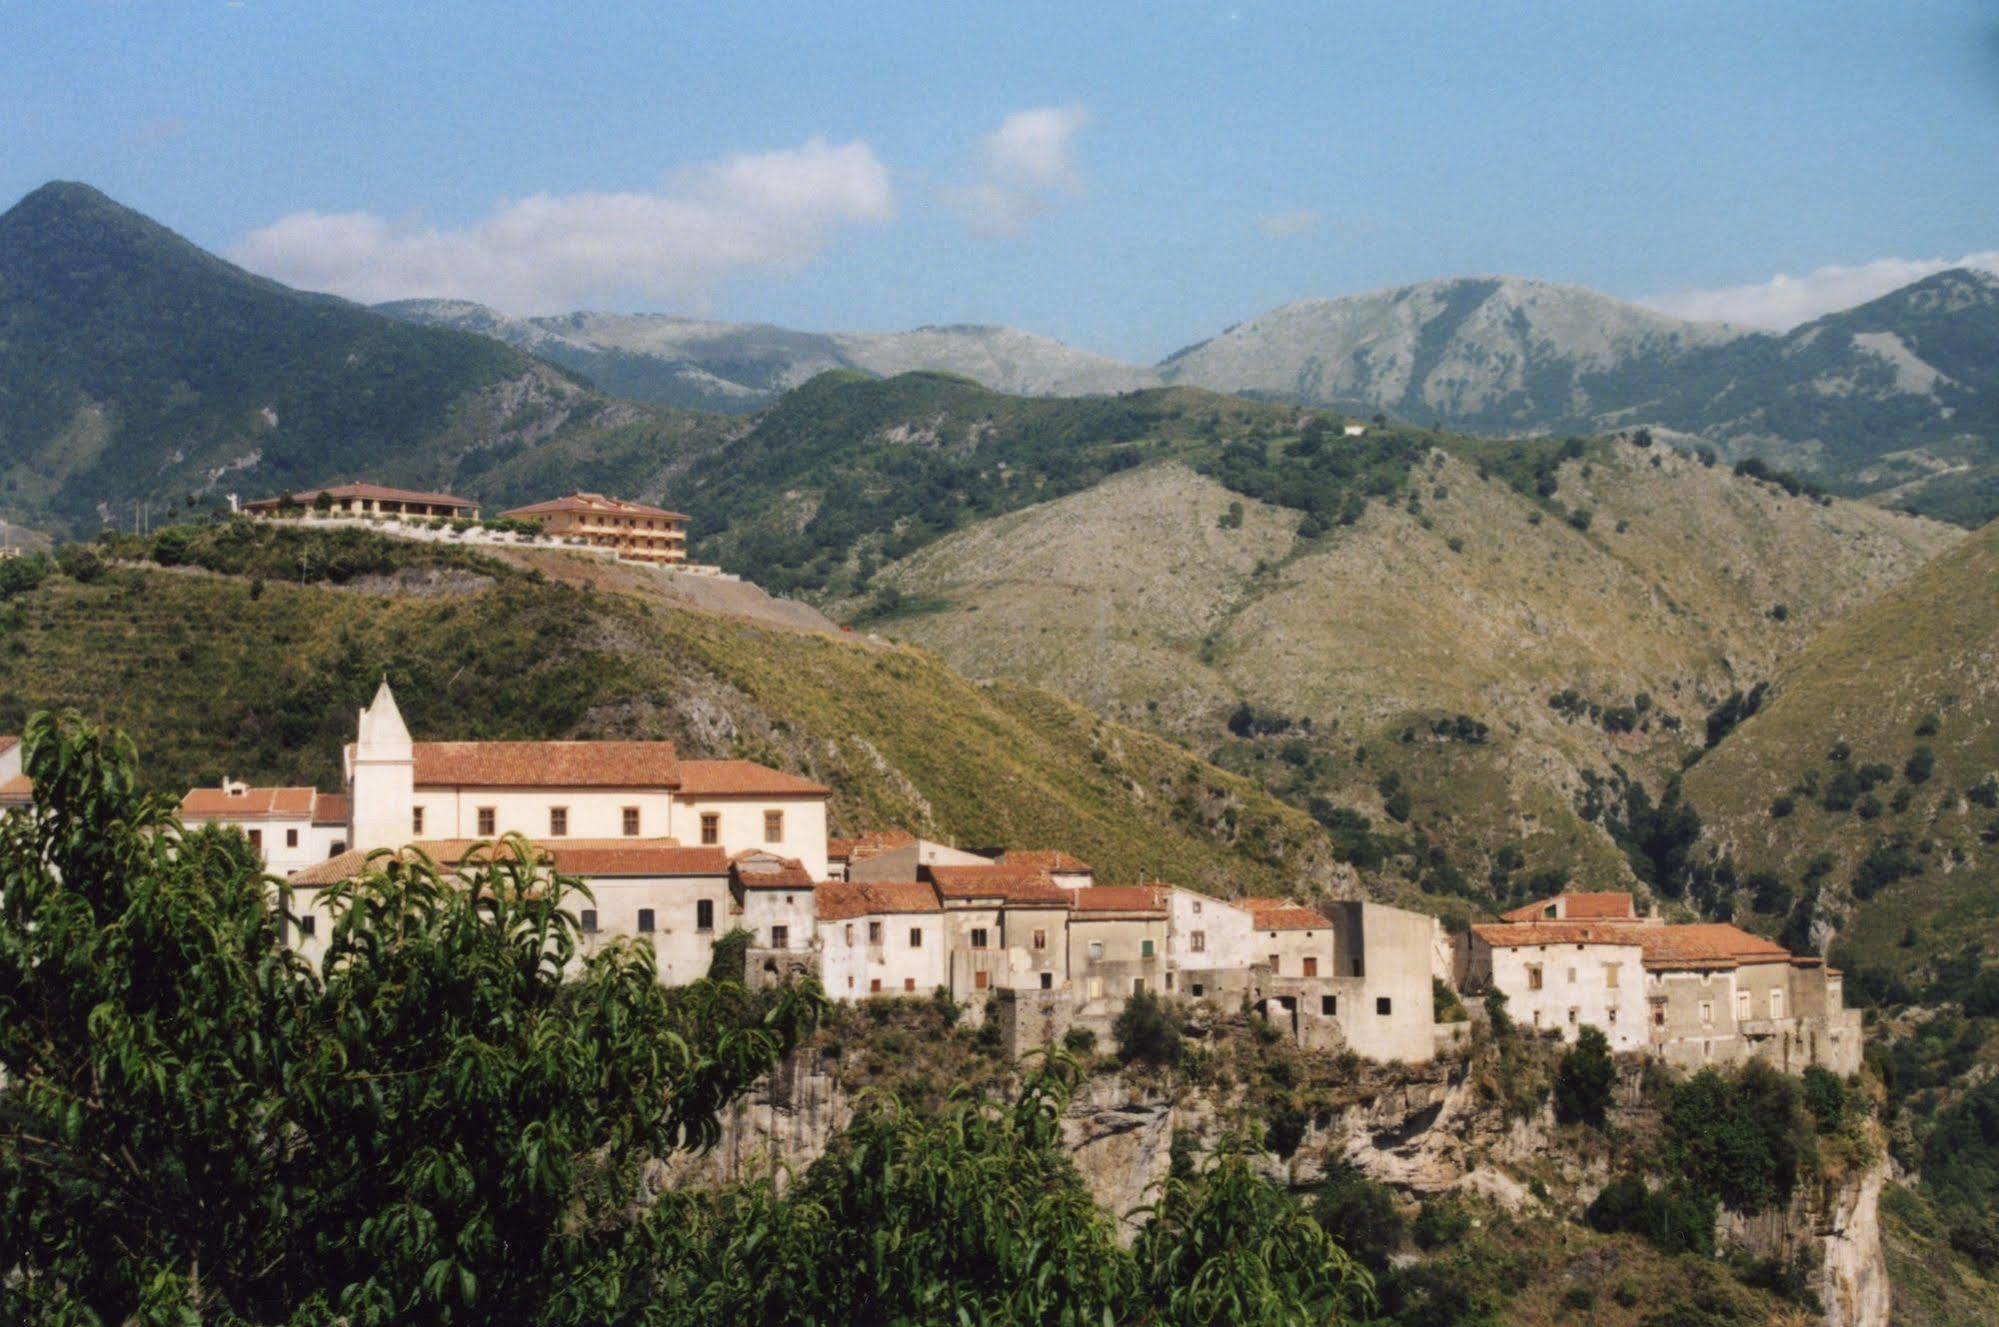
[557, 253]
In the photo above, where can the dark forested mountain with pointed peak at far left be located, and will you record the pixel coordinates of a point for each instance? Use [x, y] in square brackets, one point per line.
[137, 369]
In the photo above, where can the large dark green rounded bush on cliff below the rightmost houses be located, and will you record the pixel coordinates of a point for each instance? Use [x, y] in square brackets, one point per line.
[1742, 1140]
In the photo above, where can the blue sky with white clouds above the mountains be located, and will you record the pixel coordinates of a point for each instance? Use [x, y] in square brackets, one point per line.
[1122, 177]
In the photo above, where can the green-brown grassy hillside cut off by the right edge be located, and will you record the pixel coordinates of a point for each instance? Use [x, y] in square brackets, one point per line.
[1926, 649]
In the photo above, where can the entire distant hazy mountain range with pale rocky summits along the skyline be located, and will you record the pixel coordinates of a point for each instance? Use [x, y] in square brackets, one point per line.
[1896, 399]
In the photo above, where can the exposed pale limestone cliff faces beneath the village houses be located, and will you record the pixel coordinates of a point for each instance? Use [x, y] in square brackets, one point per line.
[1416, 1128]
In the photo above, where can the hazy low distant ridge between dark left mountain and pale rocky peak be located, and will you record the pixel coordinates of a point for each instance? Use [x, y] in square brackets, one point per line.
[745, 367]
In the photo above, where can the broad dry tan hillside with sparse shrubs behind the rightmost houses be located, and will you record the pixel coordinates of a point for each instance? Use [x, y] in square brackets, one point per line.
[1150, 603]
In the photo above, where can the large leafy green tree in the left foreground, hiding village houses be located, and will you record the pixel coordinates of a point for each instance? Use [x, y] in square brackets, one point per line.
[441, 1124]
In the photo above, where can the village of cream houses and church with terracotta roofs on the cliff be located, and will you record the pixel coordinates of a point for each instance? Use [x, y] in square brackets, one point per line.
[683, 852]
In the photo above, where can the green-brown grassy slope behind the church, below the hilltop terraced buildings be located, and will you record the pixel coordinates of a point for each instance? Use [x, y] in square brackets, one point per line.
[221, 674]
